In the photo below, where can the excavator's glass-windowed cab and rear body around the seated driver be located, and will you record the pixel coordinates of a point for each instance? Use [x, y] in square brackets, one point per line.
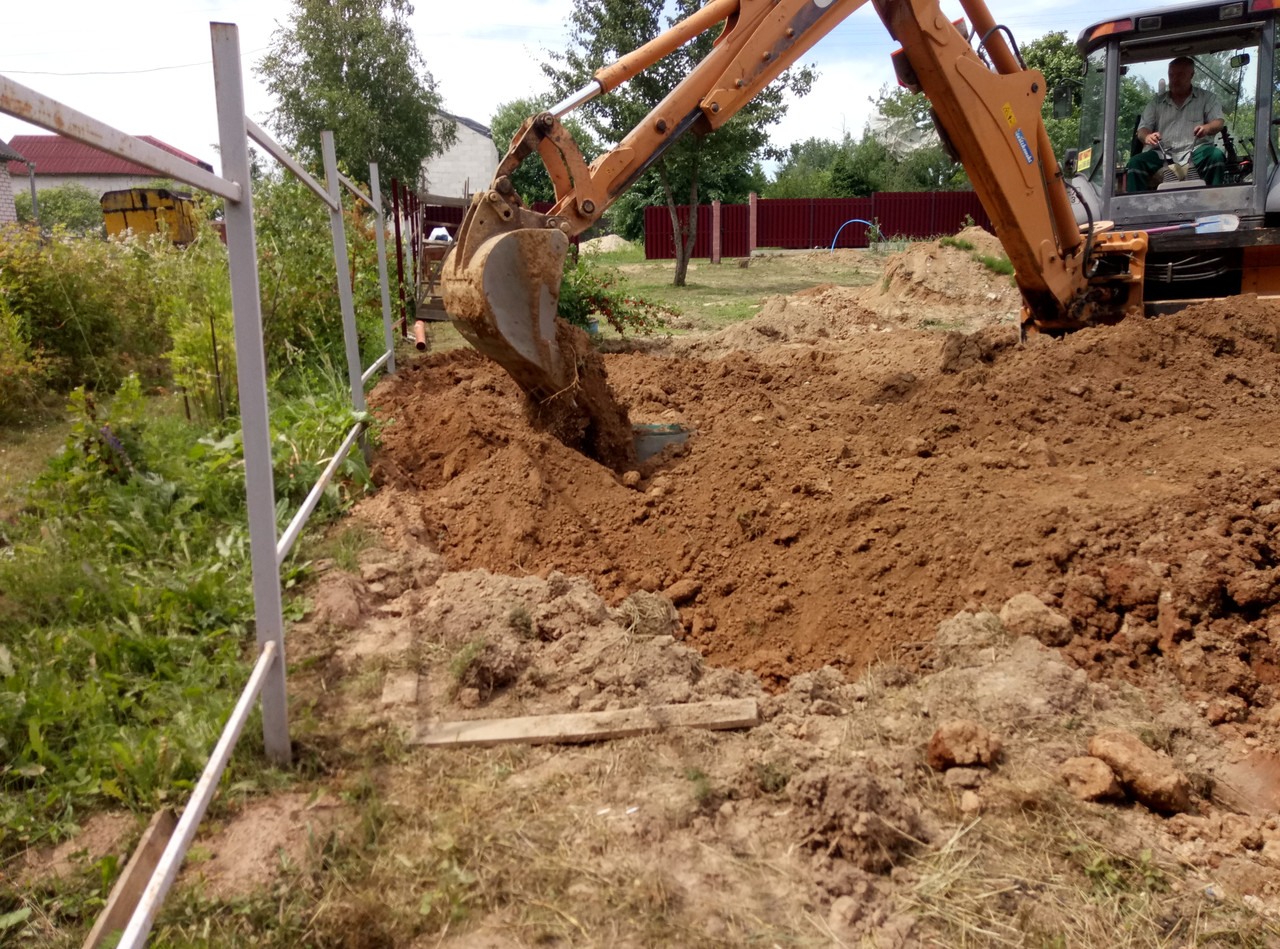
[1232, 174]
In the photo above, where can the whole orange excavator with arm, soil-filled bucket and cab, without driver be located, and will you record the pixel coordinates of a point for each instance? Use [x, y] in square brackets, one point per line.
[1081, 247]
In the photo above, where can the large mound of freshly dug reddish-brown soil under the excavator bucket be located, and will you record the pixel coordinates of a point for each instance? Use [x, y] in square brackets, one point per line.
[835, 501]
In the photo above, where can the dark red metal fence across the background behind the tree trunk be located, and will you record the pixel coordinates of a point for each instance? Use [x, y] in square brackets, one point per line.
[813, 222]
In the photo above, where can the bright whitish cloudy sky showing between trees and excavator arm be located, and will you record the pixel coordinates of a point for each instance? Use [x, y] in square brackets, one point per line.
[143, 66]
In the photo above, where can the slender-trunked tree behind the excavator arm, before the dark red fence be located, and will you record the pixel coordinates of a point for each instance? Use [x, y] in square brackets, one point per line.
[715, 166]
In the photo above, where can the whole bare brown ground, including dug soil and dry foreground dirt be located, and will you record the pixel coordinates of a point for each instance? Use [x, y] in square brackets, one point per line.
[848, 521]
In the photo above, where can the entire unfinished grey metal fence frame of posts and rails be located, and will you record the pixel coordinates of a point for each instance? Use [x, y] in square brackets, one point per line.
[268, 551]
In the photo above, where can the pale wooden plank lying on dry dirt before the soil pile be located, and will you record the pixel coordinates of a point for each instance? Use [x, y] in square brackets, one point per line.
[592, 727]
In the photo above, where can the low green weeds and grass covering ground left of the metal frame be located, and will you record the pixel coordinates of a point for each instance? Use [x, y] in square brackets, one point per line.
[126, 612]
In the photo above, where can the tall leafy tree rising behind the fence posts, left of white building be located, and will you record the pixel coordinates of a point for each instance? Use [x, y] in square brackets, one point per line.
[353, 67]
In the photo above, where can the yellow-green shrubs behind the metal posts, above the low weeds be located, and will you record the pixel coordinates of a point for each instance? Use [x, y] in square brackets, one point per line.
[97, 311]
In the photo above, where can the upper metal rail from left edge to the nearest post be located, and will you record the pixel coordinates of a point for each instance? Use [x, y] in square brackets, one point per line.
[31, 107]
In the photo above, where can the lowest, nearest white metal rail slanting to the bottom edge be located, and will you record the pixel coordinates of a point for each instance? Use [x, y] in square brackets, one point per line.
[167, 870]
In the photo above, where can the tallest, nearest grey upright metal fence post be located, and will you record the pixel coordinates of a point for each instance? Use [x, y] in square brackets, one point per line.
[252, 367]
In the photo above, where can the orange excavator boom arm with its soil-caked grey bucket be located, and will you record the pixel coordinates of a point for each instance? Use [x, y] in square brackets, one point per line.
[502, 281]
